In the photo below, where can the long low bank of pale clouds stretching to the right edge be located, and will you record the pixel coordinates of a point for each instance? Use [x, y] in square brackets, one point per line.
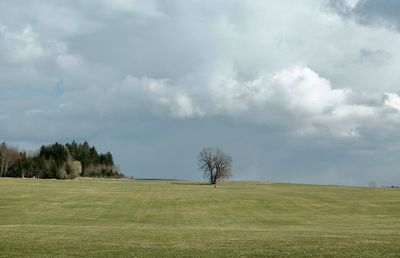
[297, 100]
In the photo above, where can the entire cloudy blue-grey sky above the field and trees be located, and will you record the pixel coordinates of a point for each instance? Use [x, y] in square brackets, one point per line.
[295, 91]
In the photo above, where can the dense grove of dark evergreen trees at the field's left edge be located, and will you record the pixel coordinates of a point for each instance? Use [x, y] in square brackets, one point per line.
[57, 161]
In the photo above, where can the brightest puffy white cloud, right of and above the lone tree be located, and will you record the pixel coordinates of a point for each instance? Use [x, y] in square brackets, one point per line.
[297, 99]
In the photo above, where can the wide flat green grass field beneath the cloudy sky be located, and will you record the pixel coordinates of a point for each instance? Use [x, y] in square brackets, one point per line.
[105, 218]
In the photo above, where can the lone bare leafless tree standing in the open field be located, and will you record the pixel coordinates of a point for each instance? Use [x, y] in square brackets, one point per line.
[215, 164]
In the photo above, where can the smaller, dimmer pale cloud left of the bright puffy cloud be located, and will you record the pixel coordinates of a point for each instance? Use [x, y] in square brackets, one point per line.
[134, 96]
